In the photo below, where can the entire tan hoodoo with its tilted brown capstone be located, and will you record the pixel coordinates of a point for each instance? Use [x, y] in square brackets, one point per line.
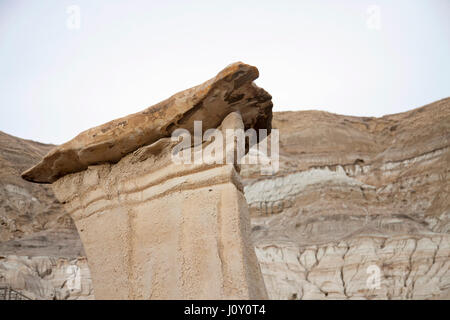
[153, 228]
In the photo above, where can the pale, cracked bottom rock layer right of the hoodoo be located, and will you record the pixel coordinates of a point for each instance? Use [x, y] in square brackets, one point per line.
[409, 268]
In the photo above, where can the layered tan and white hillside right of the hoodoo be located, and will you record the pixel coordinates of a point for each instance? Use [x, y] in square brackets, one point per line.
[353, 195]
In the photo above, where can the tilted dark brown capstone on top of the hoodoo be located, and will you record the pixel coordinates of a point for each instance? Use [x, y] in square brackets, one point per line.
[231, 90]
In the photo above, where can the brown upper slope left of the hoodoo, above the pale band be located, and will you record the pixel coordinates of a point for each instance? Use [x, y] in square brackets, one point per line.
[25, 208]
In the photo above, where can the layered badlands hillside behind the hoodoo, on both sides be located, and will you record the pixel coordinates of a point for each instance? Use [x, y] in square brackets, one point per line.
[353, 195]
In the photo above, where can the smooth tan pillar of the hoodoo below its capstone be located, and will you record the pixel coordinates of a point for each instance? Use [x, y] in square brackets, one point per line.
[154, 229]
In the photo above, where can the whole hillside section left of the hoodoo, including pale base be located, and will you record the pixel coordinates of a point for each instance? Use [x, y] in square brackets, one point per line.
[39, 245]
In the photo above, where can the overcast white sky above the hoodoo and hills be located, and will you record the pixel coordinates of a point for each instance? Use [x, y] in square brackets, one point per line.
[350, 57]
